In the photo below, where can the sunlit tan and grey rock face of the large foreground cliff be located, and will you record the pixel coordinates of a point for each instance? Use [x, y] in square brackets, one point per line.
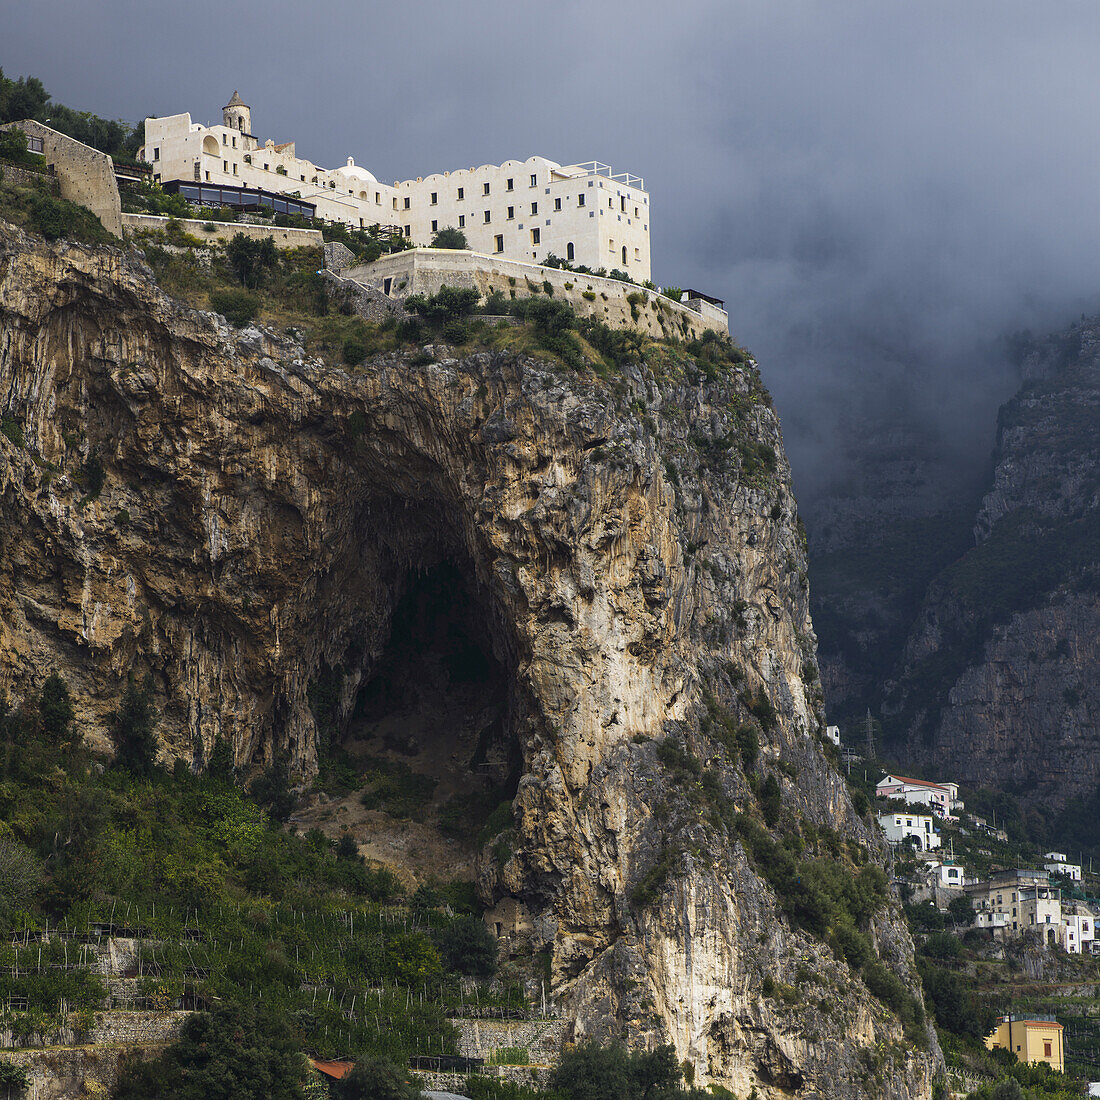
[239, 522]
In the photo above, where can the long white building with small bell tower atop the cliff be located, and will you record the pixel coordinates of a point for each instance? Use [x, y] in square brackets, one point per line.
[520, 211]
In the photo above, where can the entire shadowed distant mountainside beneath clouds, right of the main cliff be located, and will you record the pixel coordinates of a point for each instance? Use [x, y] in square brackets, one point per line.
[981, 657]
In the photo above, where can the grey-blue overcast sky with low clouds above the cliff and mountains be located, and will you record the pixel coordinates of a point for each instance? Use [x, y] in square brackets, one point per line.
[881, 191]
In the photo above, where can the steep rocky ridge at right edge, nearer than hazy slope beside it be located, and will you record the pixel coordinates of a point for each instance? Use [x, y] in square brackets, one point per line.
[999, 670]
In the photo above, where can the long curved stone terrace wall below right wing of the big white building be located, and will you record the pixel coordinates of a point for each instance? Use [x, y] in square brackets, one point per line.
[425, 271]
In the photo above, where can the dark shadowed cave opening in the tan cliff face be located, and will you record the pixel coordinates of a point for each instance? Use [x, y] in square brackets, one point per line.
[432, 728]
